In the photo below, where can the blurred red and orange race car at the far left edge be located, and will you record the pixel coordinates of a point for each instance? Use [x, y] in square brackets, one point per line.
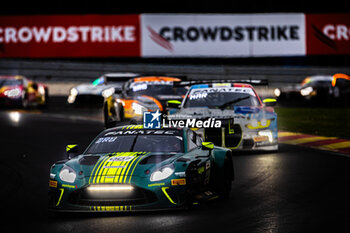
[18, 91]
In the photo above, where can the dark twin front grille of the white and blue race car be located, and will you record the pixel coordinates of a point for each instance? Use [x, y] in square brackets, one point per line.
[232, 137]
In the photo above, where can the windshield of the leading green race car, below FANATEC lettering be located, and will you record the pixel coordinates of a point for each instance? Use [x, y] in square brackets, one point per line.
[136, 143]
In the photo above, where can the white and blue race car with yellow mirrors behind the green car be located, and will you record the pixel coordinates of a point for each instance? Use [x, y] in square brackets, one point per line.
[247, 122]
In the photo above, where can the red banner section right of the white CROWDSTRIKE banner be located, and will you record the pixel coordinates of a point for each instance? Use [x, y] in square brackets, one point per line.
[327, 34]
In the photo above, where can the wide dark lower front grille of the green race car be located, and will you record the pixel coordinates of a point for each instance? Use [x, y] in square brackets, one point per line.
[136, 196]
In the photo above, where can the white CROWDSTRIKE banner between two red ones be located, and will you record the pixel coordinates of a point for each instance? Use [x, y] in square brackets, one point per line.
[211, 35]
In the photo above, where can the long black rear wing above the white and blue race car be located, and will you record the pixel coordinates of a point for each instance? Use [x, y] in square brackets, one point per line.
[260, 82]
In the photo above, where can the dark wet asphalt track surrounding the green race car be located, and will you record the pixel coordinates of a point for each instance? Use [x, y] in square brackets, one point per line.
[293, 190]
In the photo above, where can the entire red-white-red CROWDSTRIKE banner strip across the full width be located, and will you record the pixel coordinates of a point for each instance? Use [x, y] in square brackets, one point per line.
[174, 35]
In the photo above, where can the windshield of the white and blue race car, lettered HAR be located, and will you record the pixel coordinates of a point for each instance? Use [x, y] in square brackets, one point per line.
[221, 98]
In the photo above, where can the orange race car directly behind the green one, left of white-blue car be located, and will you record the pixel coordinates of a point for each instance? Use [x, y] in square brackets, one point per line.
[138, 95]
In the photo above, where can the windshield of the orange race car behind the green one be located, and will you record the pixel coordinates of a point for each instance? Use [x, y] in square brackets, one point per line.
[155, 88]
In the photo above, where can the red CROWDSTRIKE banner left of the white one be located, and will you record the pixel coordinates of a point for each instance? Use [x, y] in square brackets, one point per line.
[70, 36]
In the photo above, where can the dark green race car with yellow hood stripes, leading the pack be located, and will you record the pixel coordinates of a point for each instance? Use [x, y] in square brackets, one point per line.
[130, 168]
